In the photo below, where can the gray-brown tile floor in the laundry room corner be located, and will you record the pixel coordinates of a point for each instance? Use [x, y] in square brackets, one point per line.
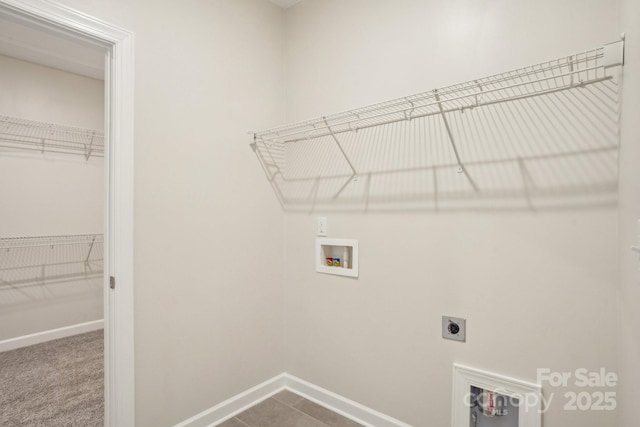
[287, 409]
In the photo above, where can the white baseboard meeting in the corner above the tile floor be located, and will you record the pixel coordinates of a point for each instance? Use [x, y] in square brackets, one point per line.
[339, 404]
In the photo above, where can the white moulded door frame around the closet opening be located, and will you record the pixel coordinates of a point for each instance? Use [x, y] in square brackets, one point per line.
[118, 311]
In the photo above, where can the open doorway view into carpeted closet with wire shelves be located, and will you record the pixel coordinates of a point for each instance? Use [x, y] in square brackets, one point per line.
[51, 232]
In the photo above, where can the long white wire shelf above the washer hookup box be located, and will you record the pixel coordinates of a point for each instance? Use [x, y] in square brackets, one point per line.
[567, 73]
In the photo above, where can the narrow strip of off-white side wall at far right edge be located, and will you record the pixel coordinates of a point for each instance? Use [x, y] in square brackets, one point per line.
[629, 348]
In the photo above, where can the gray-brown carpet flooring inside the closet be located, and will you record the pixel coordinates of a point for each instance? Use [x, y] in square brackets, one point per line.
[57, 383]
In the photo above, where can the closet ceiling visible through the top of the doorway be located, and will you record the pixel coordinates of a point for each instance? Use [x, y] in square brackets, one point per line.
[33, 44]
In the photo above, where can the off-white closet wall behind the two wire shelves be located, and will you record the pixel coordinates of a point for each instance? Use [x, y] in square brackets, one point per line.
[49, 194]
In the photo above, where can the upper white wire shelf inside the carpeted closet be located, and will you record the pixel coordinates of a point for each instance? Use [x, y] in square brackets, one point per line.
[49, 137]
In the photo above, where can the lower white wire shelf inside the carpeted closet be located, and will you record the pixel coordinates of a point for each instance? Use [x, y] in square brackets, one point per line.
[50, 259]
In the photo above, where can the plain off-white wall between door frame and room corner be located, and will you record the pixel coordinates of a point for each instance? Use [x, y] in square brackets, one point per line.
[208, 231]
